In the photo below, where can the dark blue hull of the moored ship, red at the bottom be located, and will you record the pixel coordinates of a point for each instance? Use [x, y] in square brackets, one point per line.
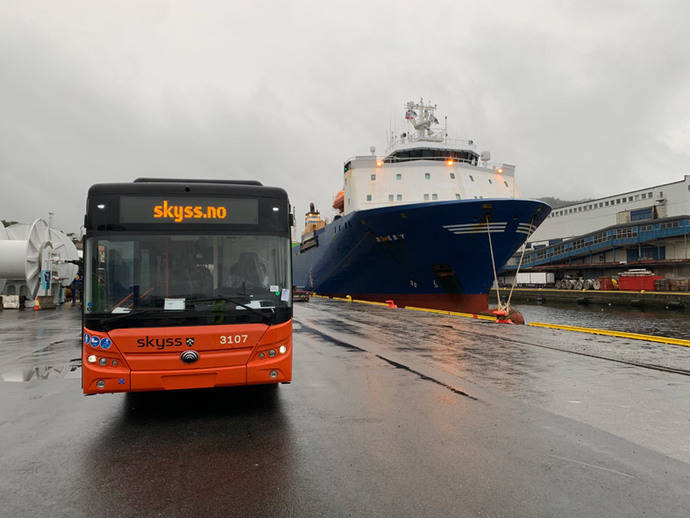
[429, 254]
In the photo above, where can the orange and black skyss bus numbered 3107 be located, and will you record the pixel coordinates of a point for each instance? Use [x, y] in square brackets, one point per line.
[187, 285]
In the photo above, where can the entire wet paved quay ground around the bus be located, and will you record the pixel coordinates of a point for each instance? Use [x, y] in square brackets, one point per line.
[391, 412]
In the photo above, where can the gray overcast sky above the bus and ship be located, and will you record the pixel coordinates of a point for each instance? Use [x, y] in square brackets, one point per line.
[586, 98]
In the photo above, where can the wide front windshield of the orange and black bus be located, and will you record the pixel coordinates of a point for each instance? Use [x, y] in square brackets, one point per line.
[186, 275]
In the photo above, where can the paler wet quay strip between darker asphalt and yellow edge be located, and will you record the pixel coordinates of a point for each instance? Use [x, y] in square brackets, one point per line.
[608, 382]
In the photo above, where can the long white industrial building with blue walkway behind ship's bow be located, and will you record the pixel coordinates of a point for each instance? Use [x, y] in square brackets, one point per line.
[646, 228]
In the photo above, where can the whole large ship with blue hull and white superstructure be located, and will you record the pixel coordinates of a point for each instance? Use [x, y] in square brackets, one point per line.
[426, 225]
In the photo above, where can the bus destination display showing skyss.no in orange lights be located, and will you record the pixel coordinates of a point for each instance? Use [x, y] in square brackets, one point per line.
[237, 211]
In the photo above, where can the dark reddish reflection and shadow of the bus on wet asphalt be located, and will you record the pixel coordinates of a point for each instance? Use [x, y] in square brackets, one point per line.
[236, 442]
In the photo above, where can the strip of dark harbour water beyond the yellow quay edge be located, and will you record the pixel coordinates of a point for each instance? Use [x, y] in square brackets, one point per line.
[674, 324]
